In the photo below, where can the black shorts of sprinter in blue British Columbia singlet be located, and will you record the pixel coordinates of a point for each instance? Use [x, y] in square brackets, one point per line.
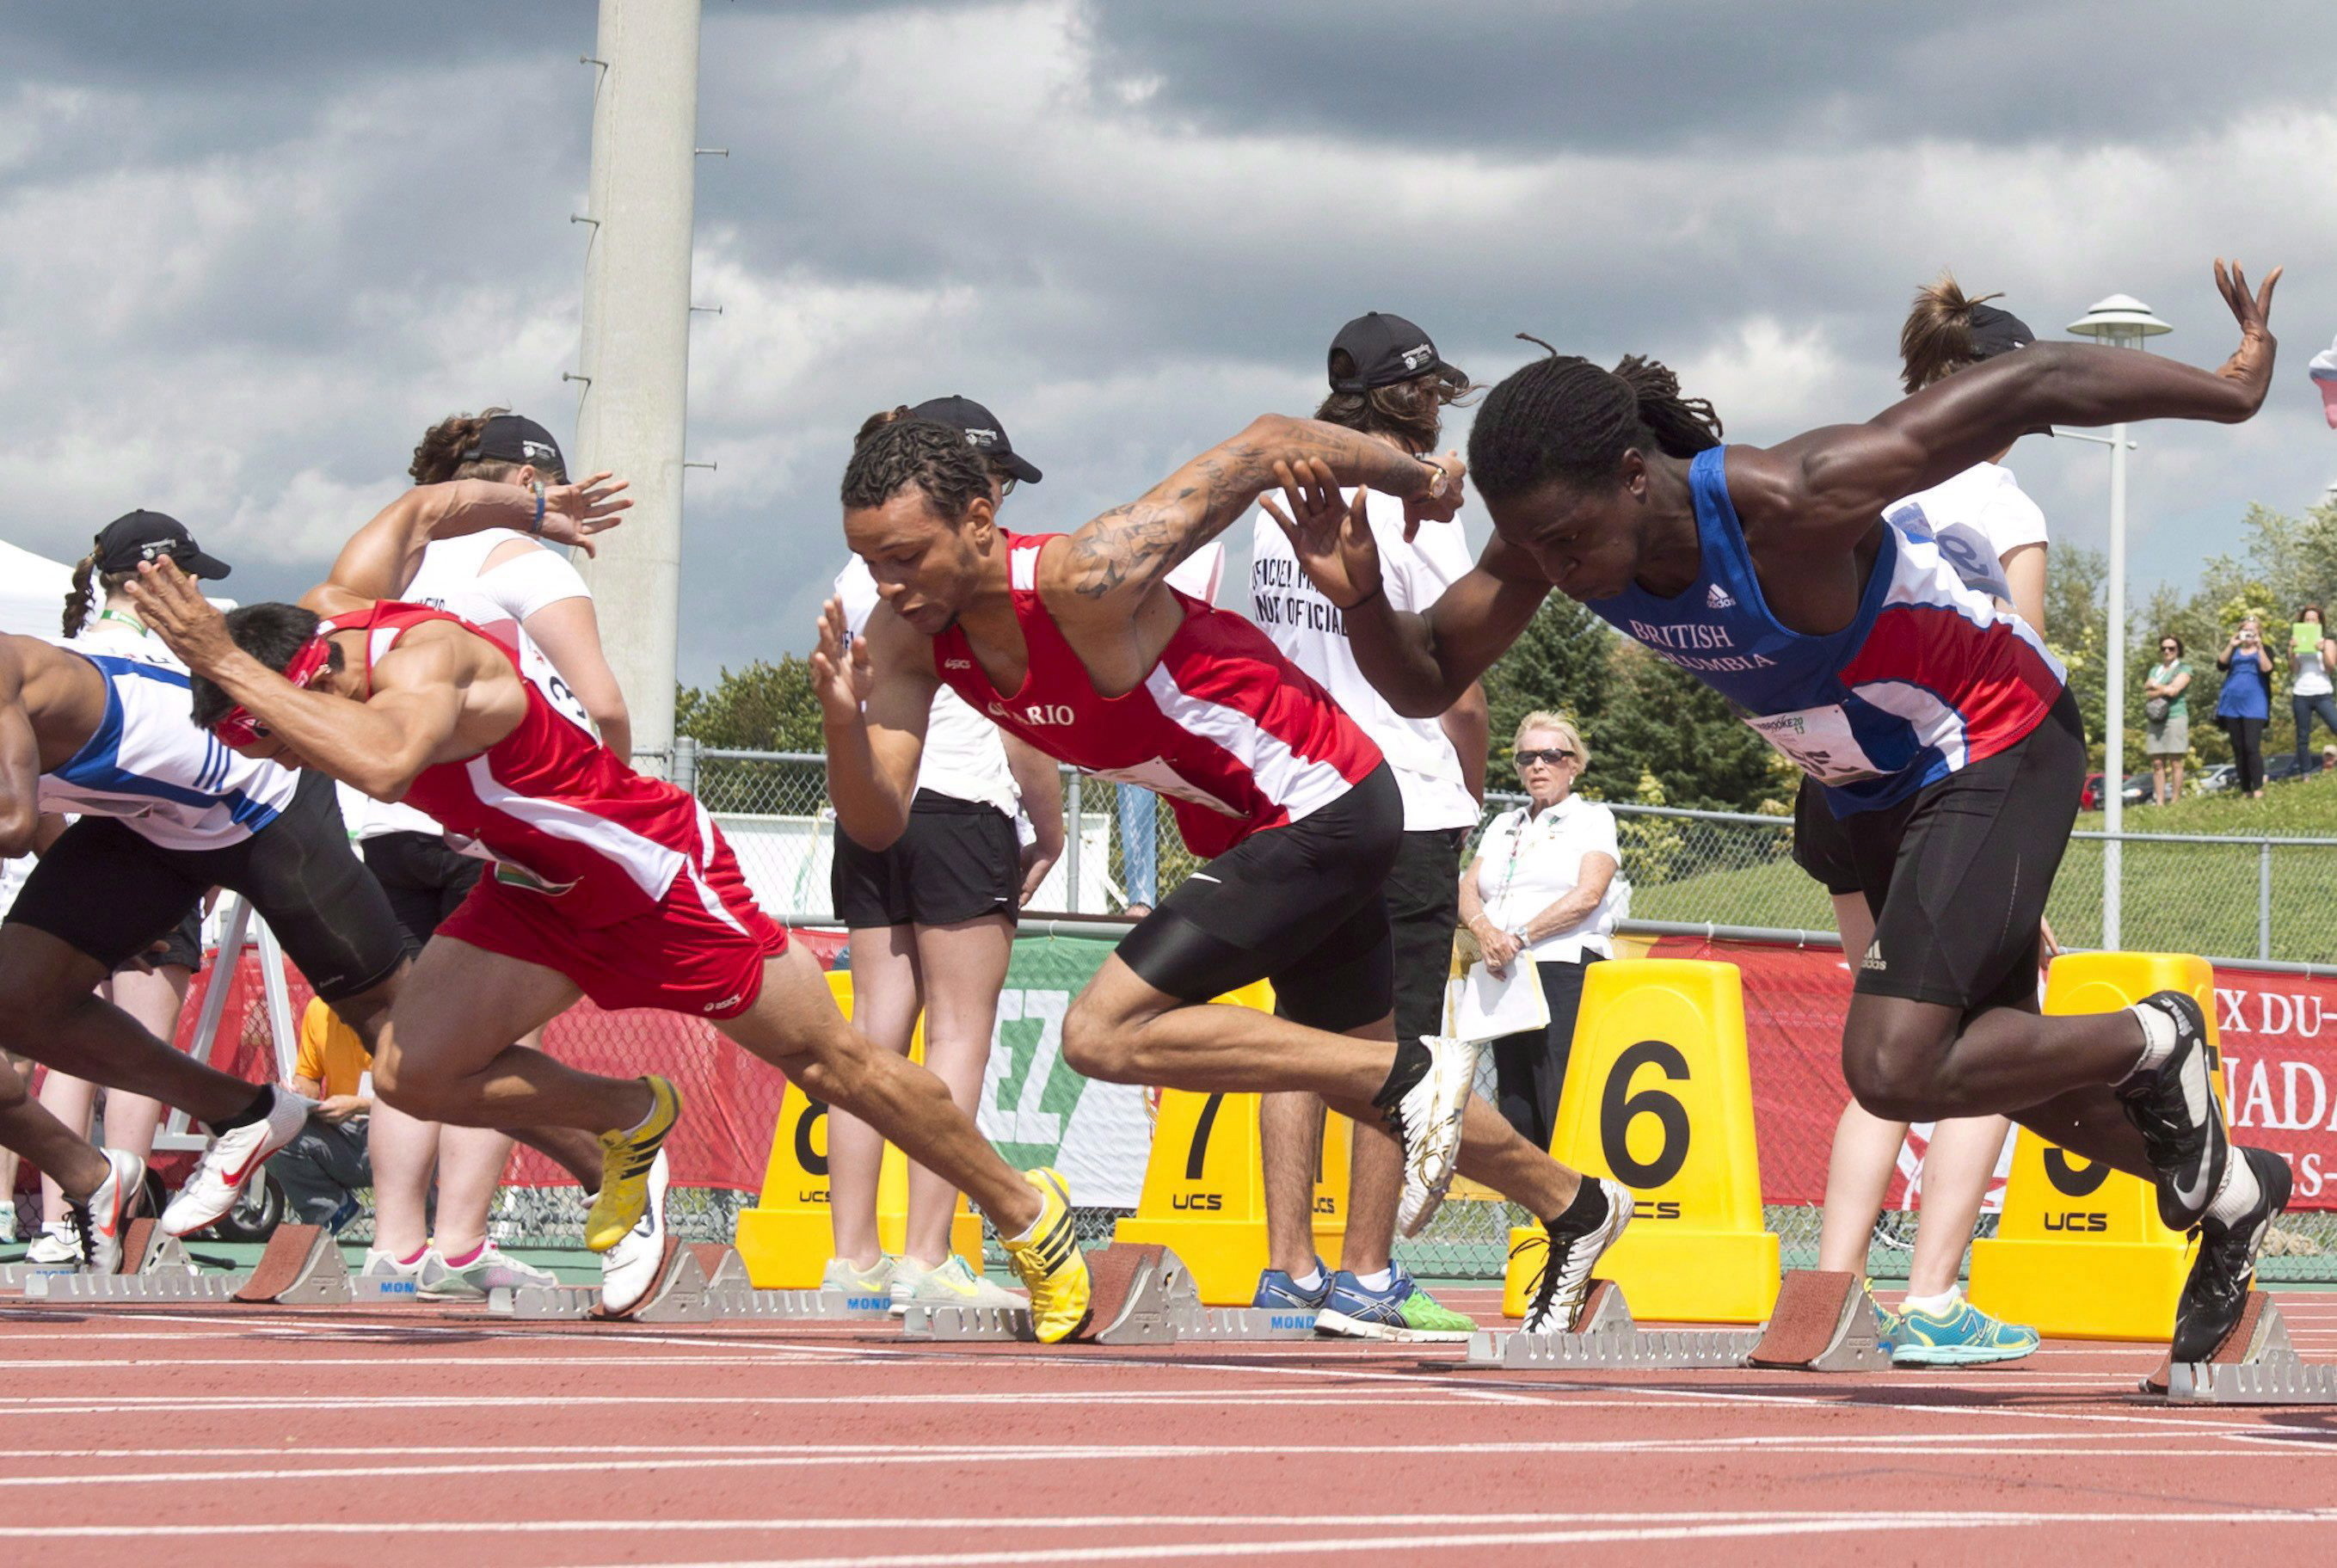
[1957, 875]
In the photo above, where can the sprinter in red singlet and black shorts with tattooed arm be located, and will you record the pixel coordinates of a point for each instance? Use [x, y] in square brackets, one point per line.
[1079, 646]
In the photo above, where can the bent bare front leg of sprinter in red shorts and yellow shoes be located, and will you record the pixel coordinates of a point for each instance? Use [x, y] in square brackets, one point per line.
[450, 1057]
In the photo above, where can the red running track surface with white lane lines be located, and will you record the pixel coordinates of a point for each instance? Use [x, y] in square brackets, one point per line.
[340, 1436]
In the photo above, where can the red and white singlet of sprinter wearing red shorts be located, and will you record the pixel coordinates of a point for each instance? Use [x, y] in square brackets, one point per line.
[548, 803]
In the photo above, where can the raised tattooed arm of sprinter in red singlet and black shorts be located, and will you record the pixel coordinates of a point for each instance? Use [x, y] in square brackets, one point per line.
[1125, 555]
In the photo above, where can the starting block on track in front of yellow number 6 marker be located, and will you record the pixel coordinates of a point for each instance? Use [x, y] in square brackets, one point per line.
[1822, 1324]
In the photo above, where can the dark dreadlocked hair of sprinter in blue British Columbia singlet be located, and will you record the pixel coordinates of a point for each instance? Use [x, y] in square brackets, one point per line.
[1567, 419]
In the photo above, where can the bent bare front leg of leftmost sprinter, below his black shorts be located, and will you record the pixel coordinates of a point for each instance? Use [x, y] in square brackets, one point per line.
[50, 1013]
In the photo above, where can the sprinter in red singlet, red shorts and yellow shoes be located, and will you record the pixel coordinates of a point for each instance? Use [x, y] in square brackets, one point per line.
[606, 884]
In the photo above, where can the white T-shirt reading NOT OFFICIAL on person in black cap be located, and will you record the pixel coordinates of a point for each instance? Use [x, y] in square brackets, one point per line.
[1312, 634]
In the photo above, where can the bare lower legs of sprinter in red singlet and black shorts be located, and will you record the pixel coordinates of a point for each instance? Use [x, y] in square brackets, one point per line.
[1130, 1034]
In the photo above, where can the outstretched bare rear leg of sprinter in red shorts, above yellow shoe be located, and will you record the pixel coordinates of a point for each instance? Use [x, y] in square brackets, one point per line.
[798, 1029]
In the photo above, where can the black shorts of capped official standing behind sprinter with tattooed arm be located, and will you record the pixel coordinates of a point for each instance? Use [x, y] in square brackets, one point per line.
[957, 861]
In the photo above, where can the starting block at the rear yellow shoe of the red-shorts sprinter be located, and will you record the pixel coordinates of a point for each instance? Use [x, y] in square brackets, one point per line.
[1142, 1293]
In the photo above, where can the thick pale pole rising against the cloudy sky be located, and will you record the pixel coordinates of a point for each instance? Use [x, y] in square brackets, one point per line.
[637, 335]
